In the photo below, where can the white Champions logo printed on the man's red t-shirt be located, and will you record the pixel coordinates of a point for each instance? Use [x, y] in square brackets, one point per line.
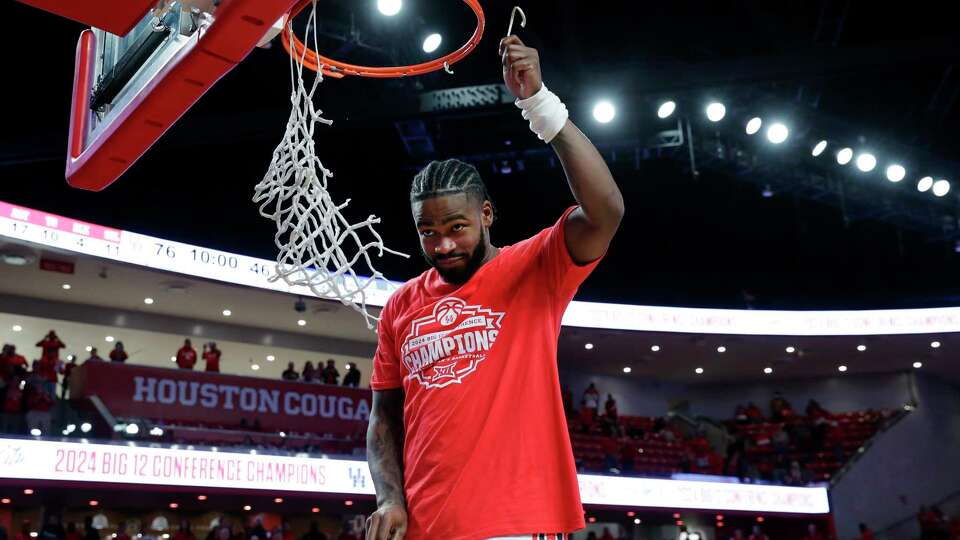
[448, 344]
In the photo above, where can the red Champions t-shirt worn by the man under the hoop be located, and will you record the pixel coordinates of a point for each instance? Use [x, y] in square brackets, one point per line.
[487, 452]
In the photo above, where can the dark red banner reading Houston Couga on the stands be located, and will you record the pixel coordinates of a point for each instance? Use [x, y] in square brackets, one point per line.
[196, 397]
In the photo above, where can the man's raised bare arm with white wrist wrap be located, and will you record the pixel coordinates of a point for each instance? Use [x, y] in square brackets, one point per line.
[590, 228]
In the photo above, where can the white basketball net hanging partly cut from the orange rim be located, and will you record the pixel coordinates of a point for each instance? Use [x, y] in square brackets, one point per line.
[318, 246]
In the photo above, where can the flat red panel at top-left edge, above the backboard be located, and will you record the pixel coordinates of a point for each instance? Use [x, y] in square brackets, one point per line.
[114, 16]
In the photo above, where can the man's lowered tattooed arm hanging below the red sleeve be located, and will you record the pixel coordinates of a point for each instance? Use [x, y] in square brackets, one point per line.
[385, 458]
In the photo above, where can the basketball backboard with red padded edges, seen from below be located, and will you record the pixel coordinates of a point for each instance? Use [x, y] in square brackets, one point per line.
[129, 89]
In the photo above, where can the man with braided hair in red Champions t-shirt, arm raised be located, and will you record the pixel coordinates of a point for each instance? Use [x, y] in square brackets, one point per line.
[467, 438]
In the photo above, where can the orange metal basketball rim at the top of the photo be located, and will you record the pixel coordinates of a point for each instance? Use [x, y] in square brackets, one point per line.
[336, 69]
